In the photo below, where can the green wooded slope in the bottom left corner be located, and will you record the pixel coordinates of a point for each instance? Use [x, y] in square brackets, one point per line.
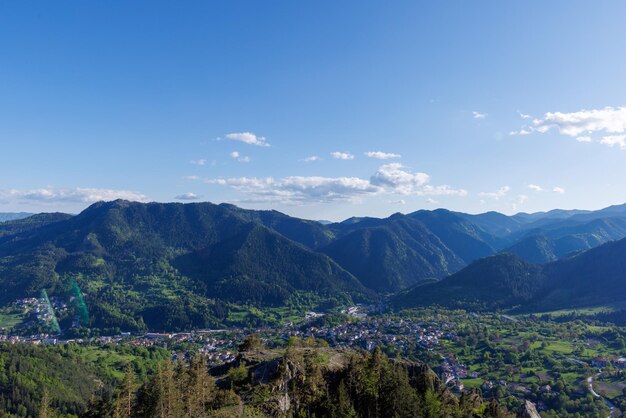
[65, 378]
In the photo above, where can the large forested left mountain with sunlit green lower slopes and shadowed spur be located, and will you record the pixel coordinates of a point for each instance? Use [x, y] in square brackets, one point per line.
[165, 265]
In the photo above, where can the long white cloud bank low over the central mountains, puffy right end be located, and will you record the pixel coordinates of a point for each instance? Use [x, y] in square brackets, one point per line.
[389, 179]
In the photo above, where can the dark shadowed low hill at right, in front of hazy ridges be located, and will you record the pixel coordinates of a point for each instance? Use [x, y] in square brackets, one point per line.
[597, 276]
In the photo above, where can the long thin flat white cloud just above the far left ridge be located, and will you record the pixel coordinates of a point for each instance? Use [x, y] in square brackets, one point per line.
[51, 195]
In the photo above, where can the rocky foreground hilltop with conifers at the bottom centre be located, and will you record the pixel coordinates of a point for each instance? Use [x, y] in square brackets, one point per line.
[301, 381]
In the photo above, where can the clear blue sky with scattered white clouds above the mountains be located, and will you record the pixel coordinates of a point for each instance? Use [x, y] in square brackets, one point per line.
[473, 106]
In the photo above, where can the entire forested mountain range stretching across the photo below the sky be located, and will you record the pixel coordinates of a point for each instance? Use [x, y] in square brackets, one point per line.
[168, 265]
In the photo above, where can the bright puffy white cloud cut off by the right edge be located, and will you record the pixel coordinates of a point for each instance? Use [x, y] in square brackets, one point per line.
[583, 125]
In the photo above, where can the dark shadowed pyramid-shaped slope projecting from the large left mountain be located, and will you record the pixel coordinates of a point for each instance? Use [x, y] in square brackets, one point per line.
[262, 266]
